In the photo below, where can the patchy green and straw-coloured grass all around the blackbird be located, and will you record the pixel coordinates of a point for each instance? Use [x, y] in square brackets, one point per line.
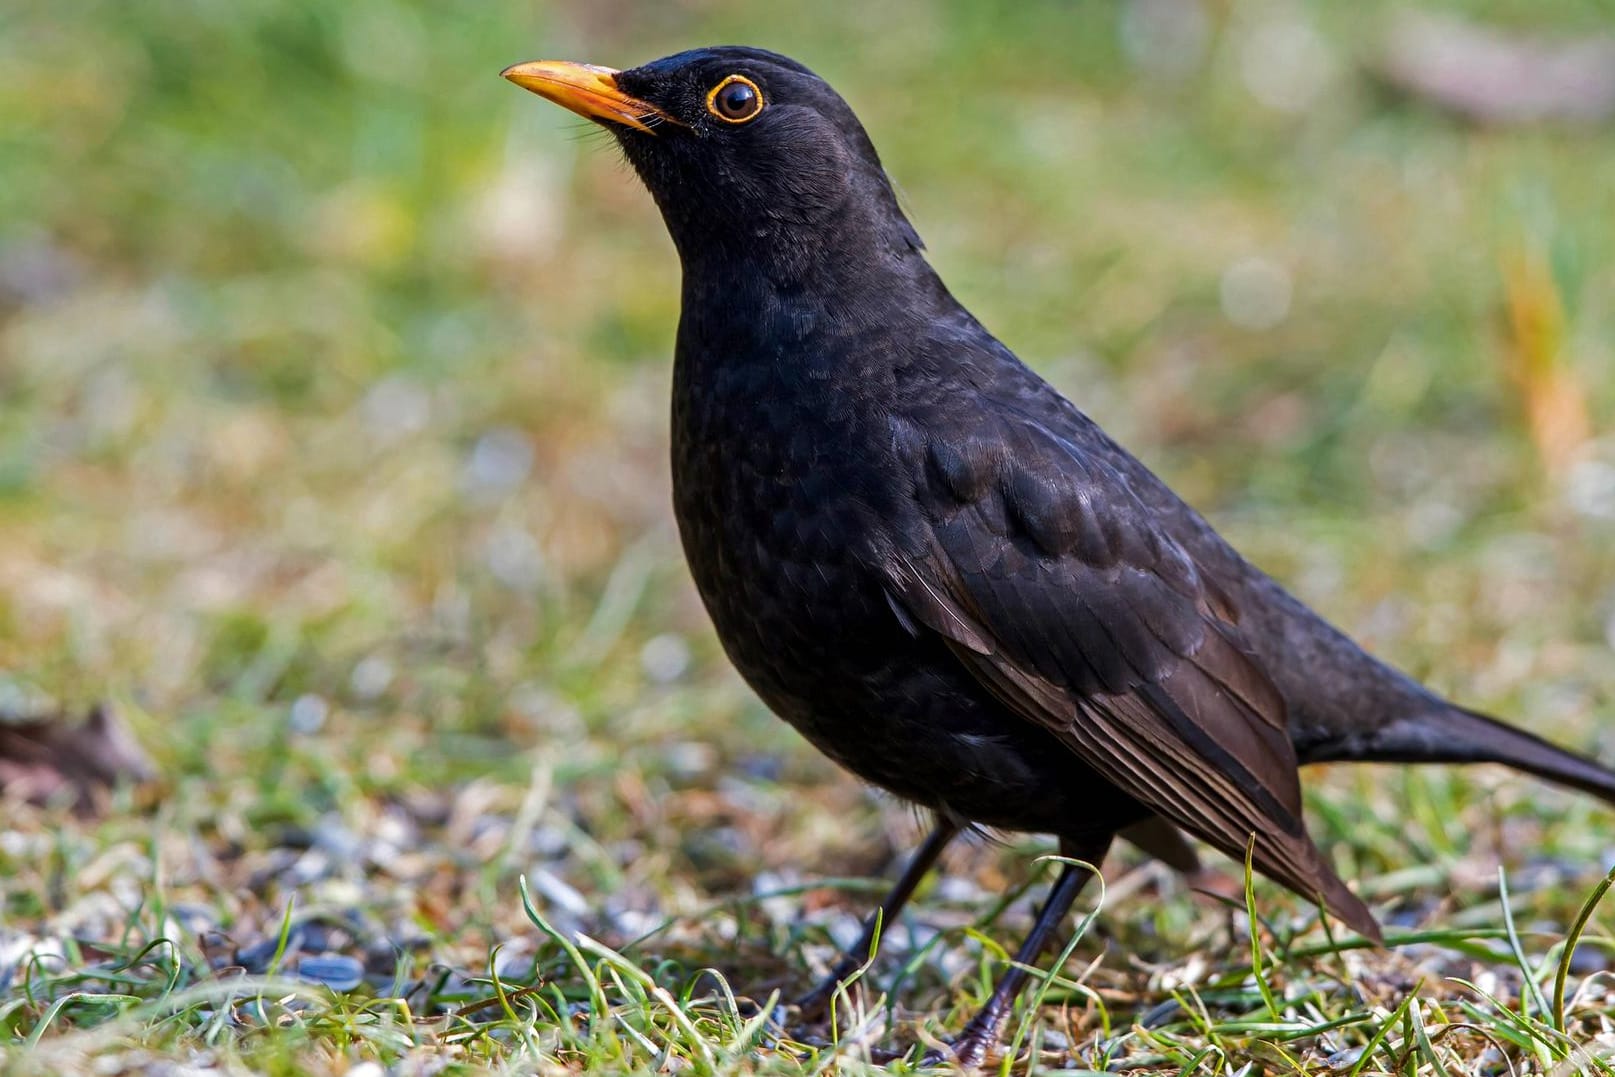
[333, 383]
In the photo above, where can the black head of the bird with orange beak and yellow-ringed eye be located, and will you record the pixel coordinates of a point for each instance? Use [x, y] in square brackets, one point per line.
[749, 154]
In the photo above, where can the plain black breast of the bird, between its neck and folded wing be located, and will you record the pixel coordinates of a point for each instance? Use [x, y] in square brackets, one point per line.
[774, 501]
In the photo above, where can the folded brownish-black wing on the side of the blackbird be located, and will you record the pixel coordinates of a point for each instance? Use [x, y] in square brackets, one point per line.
[1065, 600]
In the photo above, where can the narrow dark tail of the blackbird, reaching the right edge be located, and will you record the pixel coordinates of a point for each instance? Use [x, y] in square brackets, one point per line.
[1458, 735]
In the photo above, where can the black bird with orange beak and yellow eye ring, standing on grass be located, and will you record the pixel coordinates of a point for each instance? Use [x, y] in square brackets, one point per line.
[934, 566]
